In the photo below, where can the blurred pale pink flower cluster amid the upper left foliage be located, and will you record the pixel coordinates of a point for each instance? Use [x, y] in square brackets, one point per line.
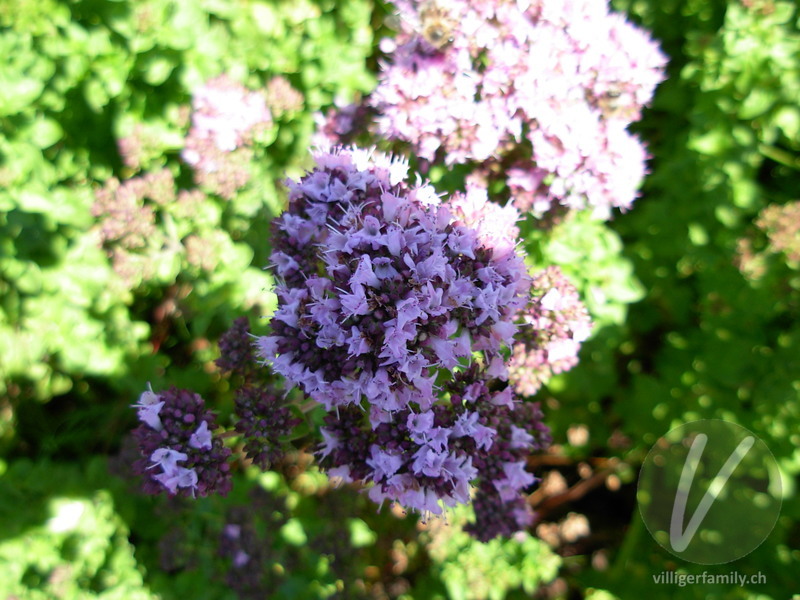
[225, 117]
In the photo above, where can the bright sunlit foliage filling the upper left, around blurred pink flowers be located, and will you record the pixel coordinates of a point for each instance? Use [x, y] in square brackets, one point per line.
[81, 76]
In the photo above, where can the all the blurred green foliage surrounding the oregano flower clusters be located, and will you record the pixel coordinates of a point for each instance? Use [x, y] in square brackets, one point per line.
[695, 310]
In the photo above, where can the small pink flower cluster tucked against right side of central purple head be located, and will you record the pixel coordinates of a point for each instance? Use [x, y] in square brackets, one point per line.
[552, 328]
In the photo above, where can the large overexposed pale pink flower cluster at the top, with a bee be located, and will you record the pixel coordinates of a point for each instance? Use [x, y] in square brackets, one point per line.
[539, 92]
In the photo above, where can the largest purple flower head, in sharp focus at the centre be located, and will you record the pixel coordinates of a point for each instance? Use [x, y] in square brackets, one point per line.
[383, 284]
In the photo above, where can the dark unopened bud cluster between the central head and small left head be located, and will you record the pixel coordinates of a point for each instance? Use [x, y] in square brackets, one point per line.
[262, 411]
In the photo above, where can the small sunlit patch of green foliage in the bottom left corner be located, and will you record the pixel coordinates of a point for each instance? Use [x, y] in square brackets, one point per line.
[59, 538]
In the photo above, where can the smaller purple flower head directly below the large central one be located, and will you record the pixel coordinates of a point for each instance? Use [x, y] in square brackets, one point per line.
[429, 460]
